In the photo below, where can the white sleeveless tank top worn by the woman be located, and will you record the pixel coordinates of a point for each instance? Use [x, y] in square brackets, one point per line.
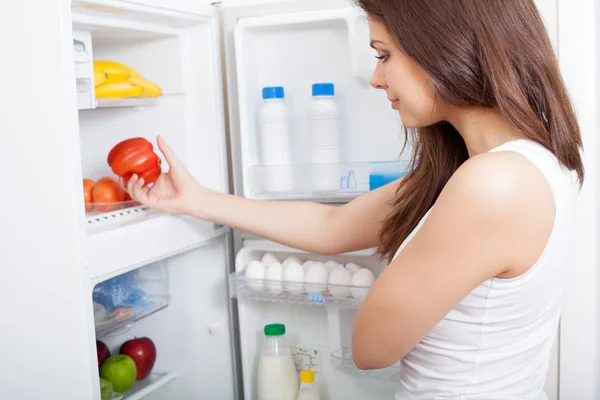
[496, 343]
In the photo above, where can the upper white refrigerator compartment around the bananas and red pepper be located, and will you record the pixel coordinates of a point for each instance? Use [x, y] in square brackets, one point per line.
[184, 62]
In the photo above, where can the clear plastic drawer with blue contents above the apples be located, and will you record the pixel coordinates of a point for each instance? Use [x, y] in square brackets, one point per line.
[124, 299]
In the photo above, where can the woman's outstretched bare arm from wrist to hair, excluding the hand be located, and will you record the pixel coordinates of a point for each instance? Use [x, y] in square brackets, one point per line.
[311, 227]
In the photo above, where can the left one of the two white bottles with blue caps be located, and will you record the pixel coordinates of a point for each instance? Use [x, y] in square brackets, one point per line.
[274, 131]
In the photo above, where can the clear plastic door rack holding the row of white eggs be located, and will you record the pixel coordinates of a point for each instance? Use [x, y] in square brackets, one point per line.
[298, 293]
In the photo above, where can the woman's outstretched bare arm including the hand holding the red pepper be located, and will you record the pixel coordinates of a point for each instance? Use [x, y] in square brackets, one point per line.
[312, 227]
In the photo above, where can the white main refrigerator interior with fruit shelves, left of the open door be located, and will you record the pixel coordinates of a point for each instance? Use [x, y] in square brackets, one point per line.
[153, 274]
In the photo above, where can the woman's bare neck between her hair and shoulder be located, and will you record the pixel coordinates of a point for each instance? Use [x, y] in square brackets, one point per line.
[482, 129]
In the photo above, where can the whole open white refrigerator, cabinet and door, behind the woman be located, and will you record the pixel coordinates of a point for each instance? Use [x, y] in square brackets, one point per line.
[204, 315]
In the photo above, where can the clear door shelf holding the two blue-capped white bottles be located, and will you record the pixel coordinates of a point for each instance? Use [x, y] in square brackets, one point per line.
[323, 180]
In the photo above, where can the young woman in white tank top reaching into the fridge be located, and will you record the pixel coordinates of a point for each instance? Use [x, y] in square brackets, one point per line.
[478, 234]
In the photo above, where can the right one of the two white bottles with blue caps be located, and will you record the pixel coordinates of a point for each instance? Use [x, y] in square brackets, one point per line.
[325, 125]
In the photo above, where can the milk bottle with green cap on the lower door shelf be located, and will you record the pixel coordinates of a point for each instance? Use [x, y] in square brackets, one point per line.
[277, 375]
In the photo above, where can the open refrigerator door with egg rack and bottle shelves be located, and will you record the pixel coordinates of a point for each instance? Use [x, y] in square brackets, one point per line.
[293, 46]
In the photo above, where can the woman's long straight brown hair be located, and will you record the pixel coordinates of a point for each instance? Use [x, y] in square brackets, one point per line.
[492, 54]
